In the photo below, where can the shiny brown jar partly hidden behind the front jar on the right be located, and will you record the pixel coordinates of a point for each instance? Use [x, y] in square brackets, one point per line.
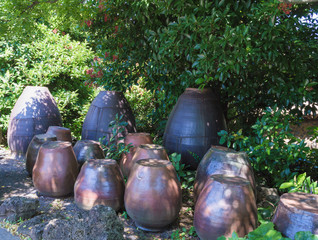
[222, 160]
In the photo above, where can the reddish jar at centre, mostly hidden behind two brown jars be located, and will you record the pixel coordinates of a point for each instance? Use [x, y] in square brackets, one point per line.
[135, 139]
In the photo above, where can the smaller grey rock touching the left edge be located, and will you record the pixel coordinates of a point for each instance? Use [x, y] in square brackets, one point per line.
[16, 208]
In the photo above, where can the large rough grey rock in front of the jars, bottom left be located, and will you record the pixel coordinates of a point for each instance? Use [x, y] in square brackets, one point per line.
[100, 223]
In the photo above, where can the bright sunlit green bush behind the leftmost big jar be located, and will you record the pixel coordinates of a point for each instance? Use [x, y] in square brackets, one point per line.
[54, 61]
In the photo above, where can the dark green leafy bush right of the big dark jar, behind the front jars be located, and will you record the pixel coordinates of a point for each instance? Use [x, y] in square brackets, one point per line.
[275, 153]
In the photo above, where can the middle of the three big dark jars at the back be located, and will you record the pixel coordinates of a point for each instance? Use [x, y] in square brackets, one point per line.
[102, 111]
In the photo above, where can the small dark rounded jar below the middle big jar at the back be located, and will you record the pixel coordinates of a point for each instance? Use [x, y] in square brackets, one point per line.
[87, 149]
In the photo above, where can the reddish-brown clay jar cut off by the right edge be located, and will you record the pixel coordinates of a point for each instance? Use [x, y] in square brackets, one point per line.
[297, 212]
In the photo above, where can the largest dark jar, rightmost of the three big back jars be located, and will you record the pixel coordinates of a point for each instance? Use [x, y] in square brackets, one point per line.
[193, 125]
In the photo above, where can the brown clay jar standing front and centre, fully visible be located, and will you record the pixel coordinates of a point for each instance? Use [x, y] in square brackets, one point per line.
[153, 194]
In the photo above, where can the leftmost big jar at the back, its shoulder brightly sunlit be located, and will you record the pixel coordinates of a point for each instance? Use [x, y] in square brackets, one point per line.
[33, 113]
